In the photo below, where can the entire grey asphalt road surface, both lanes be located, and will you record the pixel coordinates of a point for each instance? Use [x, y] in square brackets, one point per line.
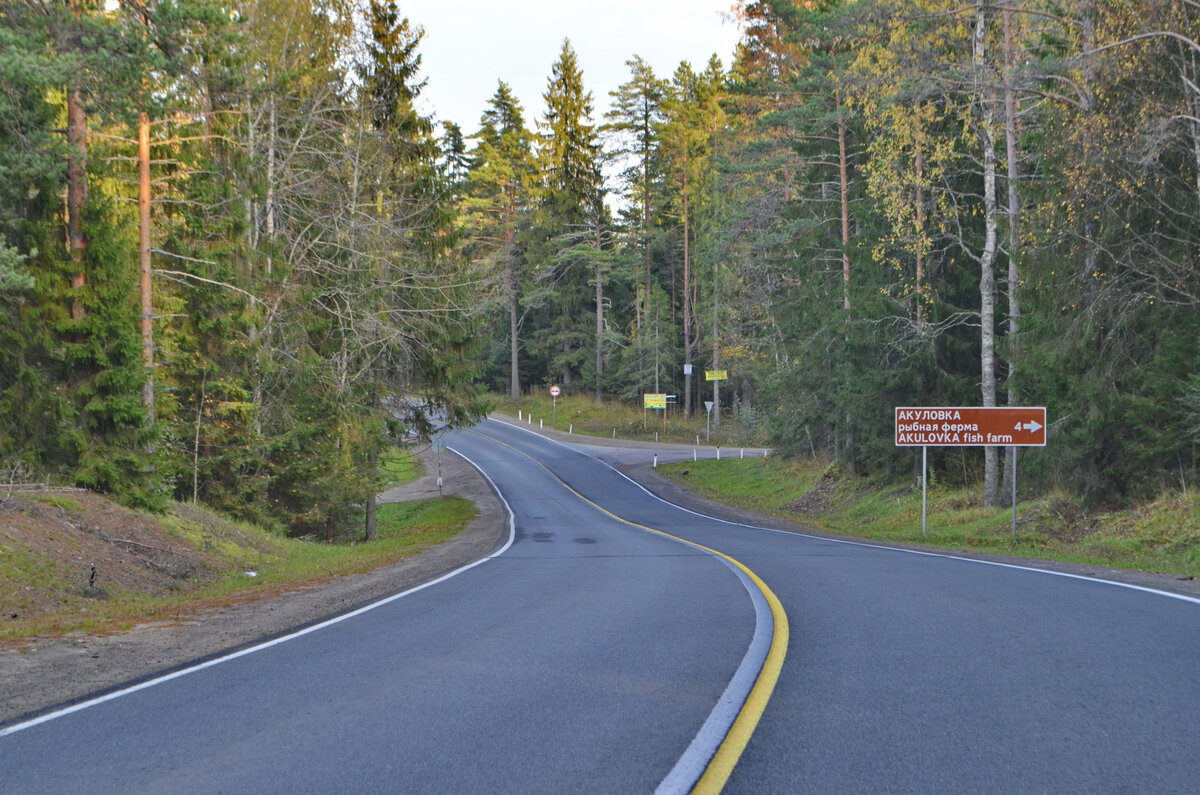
[590, 654]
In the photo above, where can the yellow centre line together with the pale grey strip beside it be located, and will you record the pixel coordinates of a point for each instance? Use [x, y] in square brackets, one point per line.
[715, 752]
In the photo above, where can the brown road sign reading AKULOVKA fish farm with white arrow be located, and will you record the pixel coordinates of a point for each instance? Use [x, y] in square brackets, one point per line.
[971, 427]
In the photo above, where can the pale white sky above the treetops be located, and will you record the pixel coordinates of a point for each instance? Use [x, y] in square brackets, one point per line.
[470, 45]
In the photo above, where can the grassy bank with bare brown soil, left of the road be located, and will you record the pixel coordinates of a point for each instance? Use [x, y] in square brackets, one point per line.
[164, 569]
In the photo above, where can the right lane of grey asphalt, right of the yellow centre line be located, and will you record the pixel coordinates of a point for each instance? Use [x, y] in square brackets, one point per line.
[910, 672]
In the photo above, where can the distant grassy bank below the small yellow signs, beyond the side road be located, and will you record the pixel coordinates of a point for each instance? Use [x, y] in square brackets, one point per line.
[583, 415]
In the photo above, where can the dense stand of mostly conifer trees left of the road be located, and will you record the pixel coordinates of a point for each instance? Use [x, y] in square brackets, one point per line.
[308, 303]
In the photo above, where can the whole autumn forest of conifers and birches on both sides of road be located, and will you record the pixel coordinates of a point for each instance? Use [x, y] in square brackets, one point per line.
[238, 264]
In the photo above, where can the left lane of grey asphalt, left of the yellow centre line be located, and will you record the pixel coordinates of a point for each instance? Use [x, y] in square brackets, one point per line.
[585, 657]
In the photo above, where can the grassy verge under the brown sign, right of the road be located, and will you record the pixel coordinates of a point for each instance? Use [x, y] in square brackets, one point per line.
[1162, 537]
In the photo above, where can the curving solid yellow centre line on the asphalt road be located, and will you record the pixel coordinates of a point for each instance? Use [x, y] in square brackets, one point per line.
[728, 755]
